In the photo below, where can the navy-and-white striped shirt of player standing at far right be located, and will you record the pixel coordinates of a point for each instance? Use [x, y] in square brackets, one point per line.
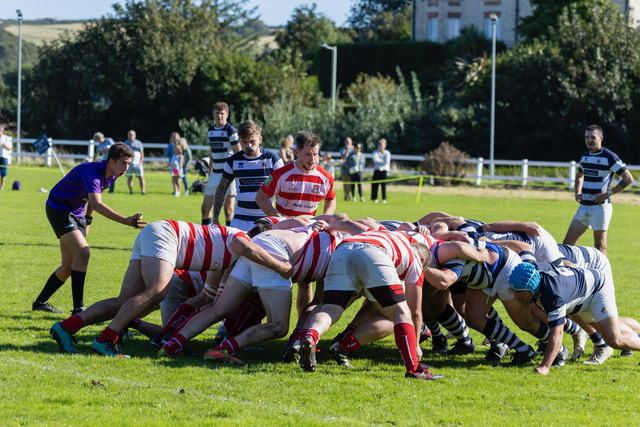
[598, 169]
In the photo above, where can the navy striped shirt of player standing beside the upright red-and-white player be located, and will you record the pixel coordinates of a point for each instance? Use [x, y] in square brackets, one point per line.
[250, 174]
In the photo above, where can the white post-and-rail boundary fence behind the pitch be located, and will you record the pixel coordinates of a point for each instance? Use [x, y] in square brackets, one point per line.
[479, 175]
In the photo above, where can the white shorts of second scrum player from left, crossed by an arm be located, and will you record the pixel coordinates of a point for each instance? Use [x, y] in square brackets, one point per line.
[256, 276]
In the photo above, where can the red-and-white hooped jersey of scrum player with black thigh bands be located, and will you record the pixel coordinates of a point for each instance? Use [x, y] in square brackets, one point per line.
[398, 245]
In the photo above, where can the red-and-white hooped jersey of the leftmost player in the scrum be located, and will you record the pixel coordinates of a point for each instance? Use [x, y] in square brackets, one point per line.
[204, 247]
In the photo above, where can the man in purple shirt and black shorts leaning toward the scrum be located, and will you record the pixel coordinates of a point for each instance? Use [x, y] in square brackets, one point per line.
[83, 185]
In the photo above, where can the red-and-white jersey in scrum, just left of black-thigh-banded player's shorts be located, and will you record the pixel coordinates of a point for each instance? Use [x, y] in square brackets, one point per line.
[316, 254]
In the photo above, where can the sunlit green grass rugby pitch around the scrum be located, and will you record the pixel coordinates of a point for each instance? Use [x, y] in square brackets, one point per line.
[38, 385]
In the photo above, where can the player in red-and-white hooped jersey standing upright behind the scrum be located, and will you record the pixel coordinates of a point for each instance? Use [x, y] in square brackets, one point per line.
[300, 186]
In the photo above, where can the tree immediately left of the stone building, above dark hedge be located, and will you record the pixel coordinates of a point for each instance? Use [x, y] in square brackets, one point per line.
[378, 20]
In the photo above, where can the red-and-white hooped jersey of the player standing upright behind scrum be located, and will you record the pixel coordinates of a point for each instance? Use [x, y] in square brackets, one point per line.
[298, 193]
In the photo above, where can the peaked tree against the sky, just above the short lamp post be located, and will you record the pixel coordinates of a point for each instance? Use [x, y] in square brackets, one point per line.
[307, 29]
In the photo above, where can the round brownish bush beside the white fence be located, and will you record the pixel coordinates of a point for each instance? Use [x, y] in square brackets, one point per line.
[445, 161]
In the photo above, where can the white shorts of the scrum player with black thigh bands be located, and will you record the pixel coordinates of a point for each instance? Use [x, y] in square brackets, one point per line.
[359, 265]
